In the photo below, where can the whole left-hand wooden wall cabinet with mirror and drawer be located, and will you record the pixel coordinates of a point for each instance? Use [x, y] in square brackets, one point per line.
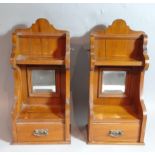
[41, 64]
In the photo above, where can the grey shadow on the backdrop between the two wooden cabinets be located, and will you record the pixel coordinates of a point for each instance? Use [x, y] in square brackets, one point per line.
[80, 83]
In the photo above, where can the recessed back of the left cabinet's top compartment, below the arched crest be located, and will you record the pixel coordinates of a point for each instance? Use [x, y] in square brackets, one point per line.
[42, 46]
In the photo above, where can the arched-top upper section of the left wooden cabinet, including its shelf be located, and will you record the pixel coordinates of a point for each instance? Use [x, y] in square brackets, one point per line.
[40, 44]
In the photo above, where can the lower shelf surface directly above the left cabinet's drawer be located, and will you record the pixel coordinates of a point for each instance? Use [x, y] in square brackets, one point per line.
[41, 112]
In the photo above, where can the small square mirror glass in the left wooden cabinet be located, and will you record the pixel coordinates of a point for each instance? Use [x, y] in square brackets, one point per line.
[43, 81]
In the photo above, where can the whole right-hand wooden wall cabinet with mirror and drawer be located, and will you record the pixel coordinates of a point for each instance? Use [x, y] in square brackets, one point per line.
[118, 60]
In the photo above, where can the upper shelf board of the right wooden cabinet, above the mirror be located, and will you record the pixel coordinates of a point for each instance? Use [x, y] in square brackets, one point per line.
[118, 62]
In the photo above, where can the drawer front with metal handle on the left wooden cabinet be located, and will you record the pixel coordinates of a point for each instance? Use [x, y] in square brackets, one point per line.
[40, 132]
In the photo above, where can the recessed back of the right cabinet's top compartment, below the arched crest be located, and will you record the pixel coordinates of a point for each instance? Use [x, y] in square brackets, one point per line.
[113, 48]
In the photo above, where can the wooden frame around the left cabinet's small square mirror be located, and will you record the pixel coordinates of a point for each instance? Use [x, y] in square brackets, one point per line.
[43, 94]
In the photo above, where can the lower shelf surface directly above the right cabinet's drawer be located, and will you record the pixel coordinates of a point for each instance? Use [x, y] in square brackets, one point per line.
[114, 112]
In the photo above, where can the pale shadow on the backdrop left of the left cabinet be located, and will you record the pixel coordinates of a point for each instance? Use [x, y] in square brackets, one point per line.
[6, 85]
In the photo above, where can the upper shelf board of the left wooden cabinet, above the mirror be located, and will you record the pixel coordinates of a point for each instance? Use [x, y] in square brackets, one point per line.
[36, 60]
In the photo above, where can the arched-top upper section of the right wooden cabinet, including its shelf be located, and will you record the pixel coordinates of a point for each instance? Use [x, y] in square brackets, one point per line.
[118, 45]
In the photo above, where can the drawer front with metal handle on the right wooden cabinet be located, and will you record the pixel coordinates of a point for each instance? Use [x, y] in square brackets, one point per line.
[116, 132]
